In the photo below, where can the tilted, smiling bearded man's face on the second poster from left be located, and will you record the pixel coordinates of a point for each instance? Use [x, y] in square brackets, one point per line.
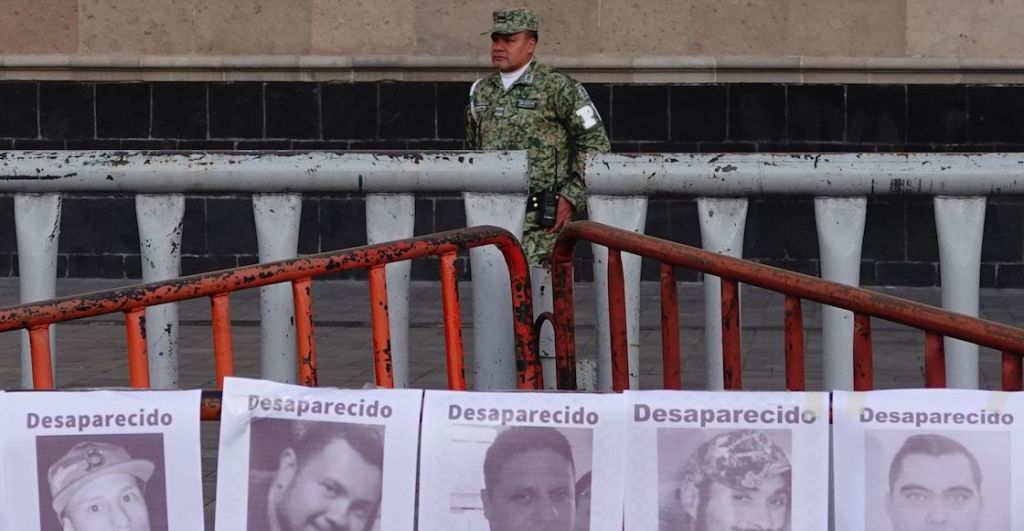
[336, 491]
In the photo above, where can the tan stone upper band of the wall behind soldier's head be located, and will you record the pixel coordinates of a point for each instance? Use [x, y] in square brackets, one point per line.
[578, 28]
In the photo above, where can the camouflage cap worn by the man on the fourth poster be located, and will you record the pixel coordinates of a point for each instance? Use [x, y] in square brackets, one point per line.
[738, 460]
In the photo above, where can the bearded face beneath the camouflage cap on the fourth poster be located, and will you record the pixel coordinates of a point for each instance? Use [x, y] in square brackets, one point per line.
[763, 509]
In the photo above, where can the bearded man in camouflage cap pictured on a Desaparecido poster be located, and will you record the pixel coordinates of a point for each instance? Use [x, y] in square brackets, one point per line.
[738, 480]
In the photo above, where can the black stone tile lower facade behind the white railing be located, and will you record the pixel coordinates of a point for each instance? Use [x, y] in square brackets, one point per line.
[100, 237]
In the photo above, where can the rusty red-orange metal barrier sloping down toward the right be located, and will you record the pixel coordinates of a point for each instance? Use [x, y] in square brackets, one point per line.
[936, 323]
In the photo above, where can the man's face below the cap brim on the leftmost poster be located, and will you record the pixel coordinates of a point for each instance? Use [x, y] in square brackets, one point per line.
[112, 503]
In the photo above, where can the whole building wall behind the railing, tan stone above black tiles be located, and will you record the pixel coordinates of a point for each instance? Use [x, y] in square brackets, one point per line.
[705, 76]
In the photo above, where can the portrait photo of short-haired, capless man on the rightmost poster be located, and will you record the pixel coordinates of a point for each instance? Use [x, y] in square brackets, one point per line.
[926, 480]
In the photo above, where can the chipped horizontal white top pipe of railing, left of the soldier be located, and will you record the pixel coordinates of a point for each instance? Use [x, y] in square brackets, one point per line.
[261, 172]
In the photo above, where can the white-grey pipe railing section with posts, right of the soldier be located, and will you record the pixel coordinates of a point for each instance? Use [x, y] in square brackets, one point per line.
[840, 184]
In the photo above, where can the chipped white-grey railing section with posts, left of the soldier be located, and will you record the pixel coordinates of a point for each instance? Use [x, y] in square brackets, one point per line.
[494, 187]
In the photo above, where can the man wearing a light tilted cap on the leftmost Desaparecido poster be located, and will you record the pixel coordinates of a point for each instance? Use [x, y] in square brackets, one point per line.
[99, 488]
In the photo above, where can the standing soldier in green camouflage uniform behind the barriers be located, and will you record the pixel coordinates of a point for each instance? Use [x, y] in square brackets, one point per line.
[527, 106]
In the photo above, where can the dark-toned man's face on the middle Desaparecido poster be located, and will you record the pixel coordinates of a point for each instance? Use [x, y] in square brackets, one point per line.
[534, 492]
